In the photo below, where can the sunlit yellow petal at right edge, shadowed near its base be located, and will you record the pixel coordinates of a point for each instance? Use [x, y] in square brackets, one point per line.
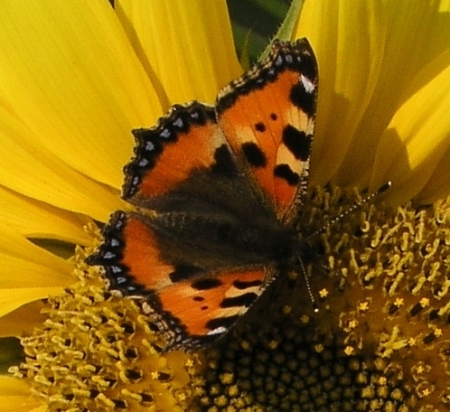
[417, 138]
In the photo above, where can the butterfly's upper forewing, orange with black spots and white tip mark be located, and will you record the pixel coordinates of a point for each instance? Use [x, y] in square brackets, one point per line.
[268, 117]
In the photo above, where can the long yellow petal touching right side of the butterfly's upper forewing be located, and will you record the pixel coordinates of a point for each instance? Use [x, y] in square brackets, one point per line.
[347, 37]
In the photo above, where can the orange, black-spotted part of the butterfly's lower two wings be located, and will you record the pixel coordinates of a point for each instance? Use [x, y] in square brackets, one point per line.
[191, 307]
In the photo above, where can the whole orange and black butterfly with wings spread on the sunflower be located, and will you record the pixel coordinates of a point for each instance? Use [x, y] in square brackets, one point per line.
[217, 192]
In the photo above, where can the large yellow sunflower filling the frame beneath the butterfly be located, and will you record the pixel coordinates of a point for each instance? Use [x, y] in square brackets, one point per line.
[78, 77]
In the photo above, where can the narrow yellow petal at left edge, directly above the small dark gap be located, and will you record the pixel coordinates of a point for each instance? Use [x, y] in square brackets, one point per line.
[40, 220]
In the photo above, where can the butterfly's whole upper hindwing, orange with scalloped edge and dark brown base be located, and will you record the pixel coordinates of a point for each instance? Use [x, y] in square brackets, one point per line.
[185, 164]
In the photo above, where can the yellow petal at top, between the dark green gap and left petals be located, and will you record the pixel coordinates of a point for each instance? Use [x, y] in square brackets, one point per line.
[186, 48]
